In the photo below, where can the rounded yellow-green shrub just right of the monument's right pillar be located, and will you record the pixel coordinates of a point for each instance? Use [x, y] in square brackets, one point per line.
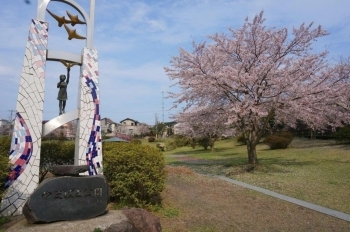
[135, 173]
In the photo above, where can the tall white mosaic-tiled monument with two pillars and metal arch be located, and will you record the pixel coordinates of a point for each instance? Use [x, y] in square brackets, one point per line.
[28, 130]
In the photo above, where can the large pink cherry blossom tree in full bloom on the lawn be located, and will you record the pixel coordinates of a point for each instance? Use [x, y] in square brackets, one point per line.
[256, 74]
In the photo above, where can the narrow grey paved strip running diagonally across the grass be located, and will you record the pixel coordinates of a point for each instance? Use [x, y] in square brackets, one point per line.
[308, 205]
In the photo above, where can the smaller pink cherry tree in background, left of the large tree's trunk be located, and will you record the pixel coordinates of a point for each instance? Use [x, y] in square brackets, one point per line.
[205, 123]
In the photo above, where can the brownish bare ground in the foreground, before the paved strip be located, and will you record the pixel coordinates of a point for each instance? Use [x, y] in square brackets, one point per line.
[195, 202]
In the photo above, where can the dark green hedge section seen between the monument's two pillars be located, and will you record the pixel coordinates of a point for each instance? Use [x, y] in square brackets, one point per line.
[55, 152]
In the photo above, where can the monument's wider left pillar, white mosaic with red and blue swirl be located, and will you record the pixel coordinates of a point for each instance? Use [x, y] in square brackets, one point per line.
[26, 138]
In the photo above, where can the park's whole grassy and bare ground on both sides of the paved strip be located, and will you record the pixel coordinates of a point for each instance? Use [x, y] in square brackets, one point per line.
[314, 171]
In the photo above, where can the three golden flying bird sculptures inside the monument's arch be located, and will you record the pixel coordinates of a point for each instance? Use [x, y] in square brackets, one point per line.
[73, 20]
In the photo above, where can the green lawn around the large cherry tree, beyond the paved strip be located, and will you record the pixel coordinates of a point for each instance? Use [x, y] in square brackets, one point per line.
[316, 171]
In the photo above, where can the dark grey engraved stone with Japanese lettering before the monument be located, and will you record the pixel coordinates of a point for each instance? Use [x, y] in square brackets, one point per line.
[67, 198]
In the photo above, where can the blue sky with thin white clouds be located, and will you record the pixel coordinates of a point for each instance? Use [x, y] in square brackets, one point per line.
[136, 40]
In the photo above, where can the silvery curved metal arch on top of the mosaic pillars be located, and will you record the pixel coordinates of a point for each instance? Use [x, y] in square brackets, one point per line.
[41, 11]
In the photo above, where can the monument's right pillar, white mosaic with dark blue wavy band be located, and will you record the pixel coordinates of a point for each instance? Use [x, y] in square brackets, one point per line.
[89, 147]
